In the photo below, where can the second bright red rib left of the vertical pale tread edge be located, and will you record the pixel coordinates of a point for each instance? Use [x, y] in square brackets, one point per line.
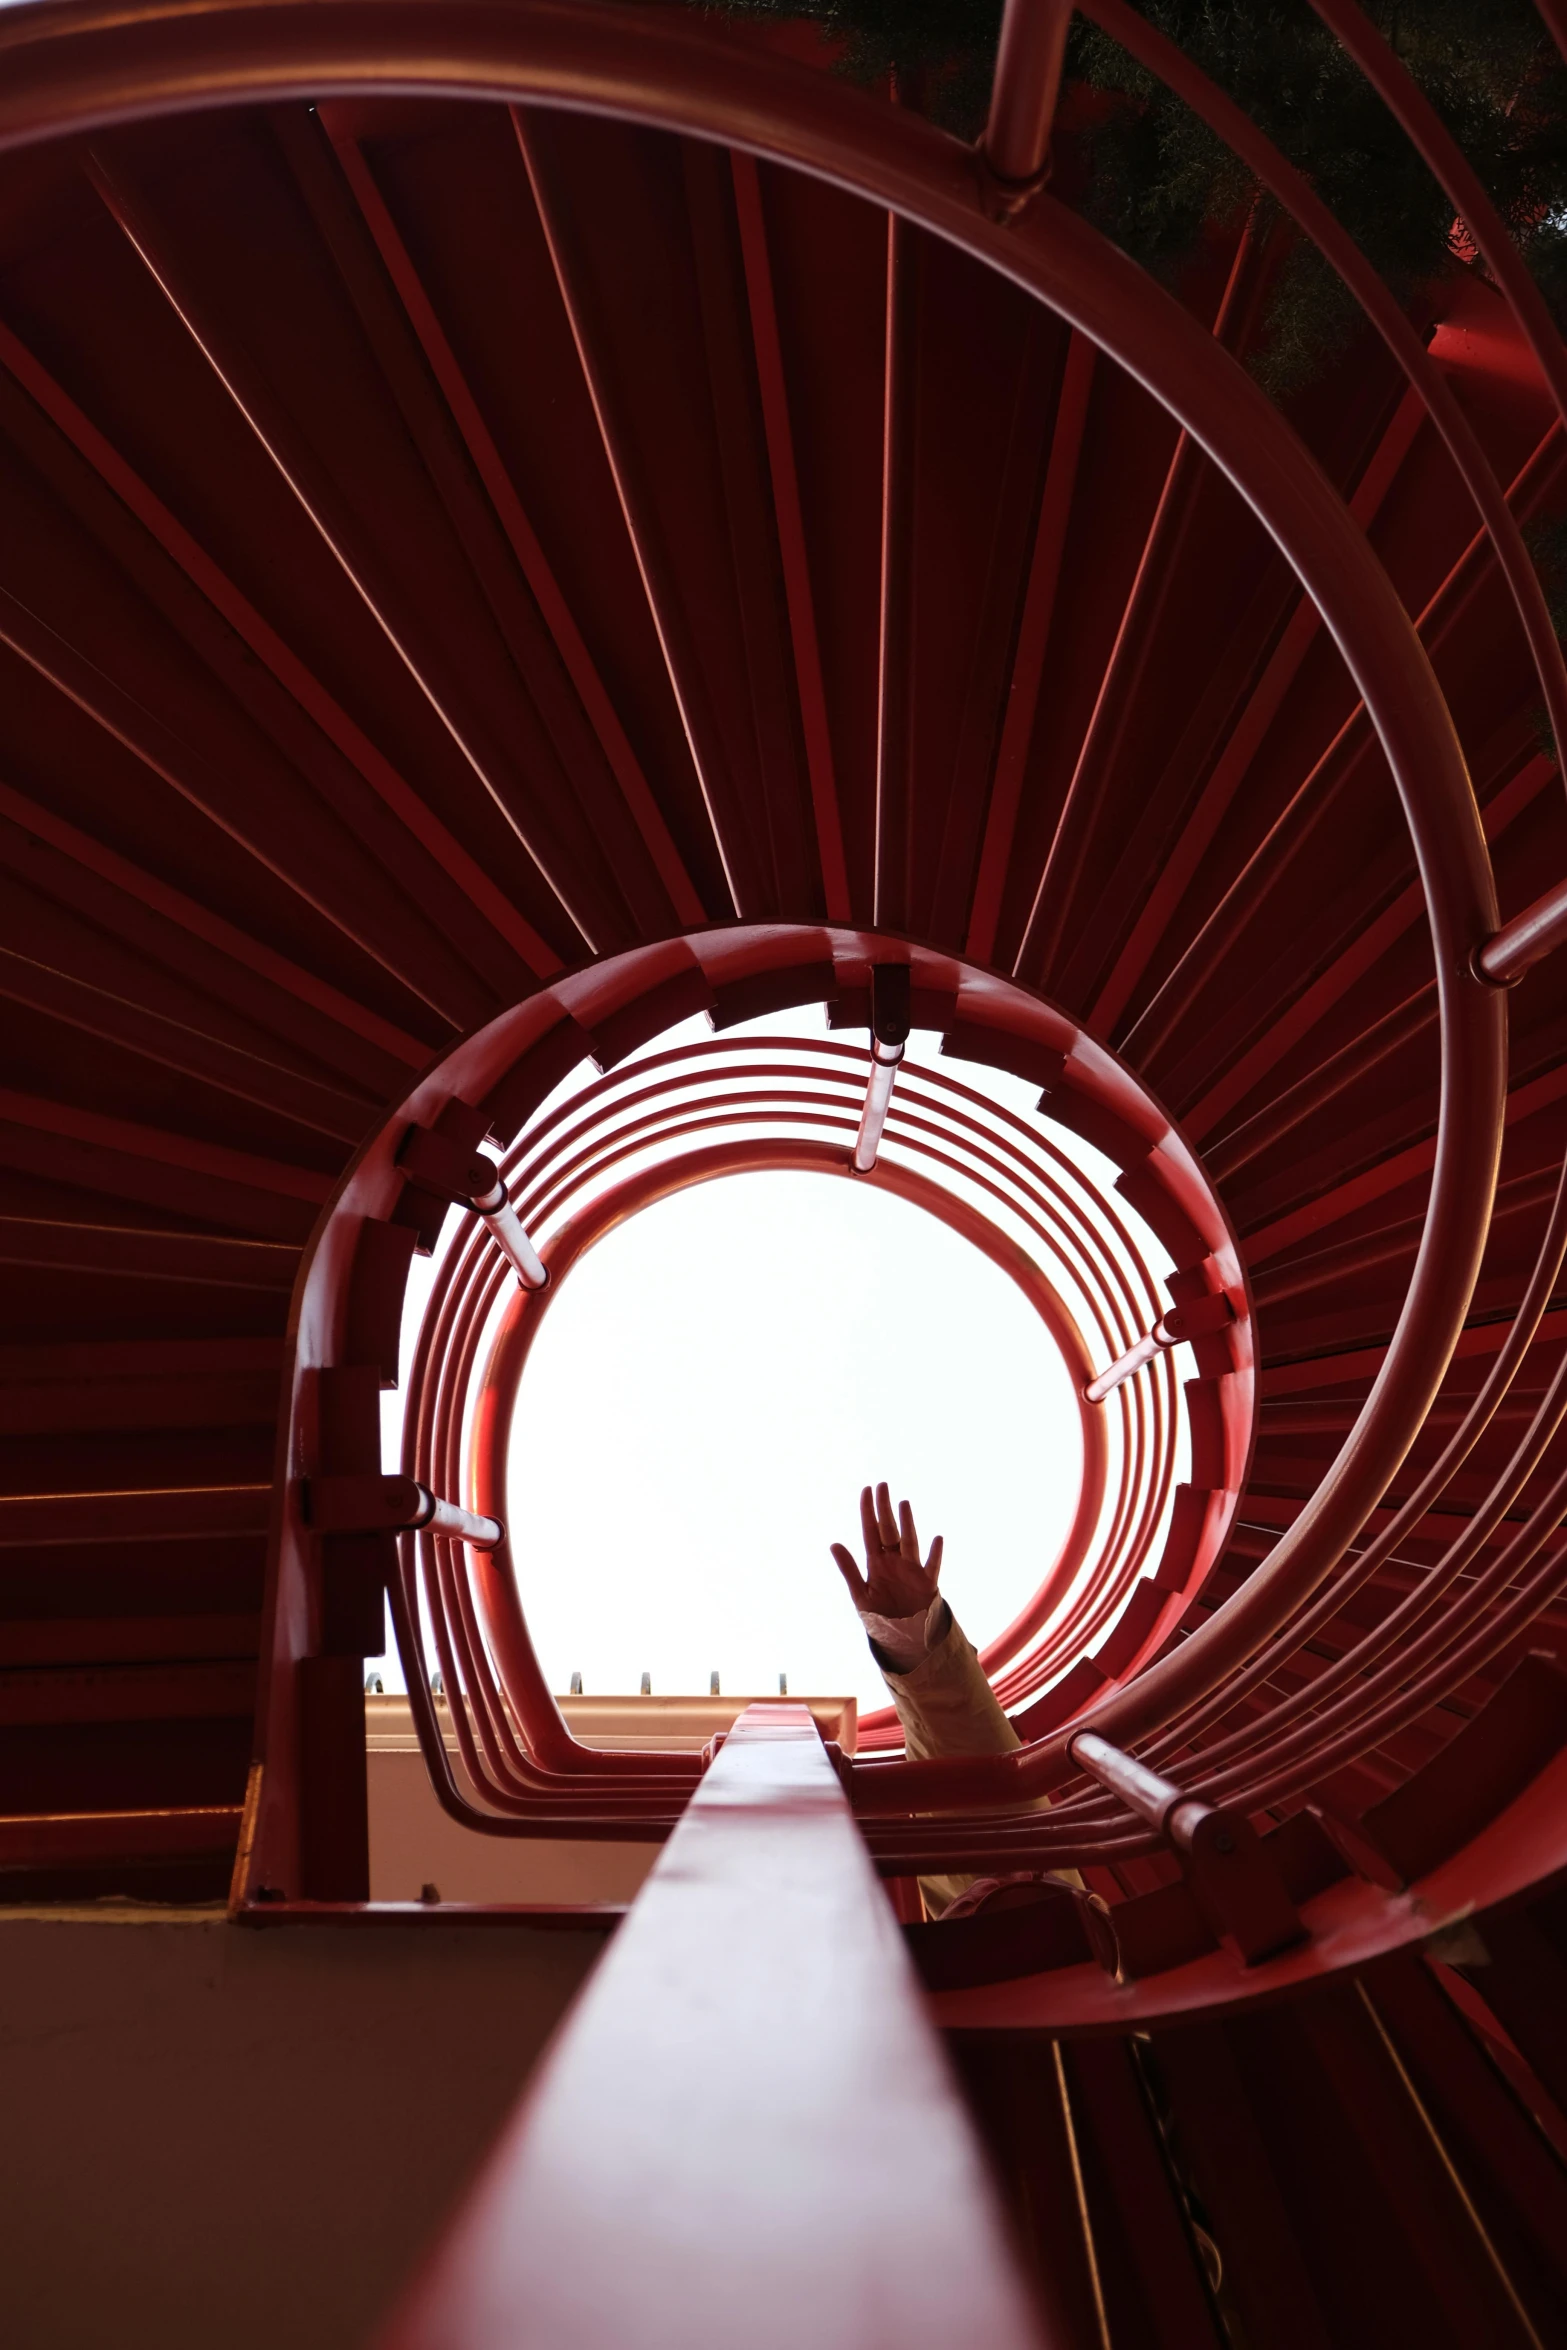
[518, 525]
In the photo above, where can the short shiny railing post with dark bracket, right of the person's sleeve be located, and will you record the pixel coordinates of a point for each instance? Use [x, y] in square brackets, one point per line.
[1225, 1862]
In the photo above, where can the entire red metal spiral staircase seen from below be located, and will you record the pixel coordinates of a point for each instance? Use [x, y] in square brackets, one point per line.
[525, 523]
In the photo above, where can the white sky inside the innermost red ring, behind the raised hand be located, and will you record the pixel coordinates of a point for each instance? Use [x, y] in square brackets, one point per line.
[706, 1402]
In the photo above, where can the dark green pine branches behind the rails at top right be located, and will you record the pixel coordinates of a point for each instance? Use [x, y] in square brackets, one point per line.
[1155, 177]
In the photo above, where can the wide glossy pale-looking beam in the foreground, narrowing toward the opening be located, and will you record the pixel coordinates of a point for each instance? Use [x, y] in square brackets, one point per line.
[720, 2140]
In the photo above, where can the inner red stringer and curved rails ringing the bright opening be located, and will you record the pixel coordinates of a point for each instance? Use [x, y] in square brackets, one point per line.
[520, 1771]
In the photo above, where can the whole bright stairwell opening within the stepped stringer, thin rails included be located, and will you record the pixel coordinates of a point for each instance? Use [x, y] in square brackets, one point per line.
[739, 1336]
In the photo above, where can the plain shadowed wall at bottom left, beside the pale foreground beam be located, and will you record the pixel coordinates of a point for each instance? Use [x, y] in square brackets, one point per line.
[241, 2140]
